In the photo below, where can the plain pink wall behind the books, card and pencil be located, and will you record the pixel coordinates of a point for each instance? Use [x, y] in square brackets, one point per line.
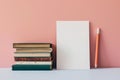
[35, 21]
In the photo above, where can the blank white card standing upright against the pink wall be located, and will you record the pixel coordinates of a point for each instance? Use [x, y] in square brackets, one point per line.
[73, 50]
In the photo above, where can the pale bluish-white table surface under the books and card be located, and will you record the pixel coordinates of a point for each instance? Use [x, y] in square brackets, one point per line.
[92, 74]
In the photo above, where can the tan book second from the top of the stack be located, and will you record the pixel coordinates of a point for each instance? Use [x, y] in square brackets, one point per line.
[33, 49]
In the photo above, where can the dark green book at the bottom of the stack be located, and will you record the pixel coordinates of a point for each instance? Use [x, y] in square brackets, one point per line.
[31, 67]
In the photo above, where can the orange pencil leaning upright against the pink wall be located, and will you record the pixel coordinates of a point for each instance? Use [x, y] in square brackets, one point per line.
[97, 47]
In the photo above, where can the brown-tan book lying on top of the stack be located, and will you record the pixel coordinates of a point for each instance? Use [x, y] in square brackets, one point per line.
[31, 45]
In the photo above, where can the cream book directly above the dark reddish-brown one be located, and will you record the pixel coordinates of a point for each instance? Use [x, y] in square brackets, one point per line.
[33, 55]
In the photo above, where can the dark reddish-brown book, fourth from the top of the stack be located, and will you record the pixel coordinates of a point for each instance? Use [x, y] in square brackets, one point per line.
[33, 58]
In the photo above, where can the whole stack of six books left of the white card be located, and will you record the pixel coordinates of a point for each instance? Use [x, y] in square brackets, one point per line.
[33, 56]
